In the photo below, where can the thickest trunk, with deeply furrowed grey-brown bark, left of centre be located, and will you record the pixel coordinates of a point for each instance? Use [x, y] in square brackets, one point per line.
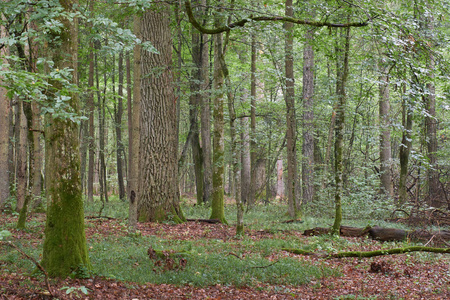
[158, 165]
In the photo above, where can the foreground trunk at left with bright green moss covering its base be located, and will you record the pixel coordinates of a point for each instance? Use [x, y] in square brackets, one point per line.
[65, 242]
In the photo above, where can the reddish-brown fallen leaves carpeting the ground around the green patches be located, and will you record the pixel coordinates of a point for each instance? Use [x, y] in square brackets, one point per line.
[387, 277]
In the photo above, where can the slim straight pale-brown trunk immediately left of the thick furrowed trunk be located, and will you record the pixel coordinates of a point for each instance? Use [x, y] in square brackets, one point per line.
[134, 108]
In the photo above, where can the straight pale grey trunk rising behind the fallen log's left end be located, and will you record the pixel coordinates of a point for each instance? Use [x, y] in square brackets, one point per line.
[308, 120]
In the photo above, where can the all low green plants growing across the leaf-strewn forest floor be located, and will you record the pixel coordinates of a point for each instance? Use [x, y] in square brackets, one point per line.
[240, 262]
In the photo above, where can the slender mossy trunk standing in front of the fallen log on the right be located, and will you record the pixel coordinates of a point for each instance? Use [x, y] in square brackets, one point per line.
[342, 54]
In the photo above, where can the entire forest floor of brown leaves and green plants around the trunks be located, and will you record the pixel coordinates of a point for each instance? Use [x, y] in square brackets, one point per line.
[219, 265]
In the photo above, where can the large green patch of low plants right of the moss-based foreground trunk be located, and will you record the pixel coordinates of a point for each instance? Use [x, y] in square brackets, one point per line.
[208, 262]
